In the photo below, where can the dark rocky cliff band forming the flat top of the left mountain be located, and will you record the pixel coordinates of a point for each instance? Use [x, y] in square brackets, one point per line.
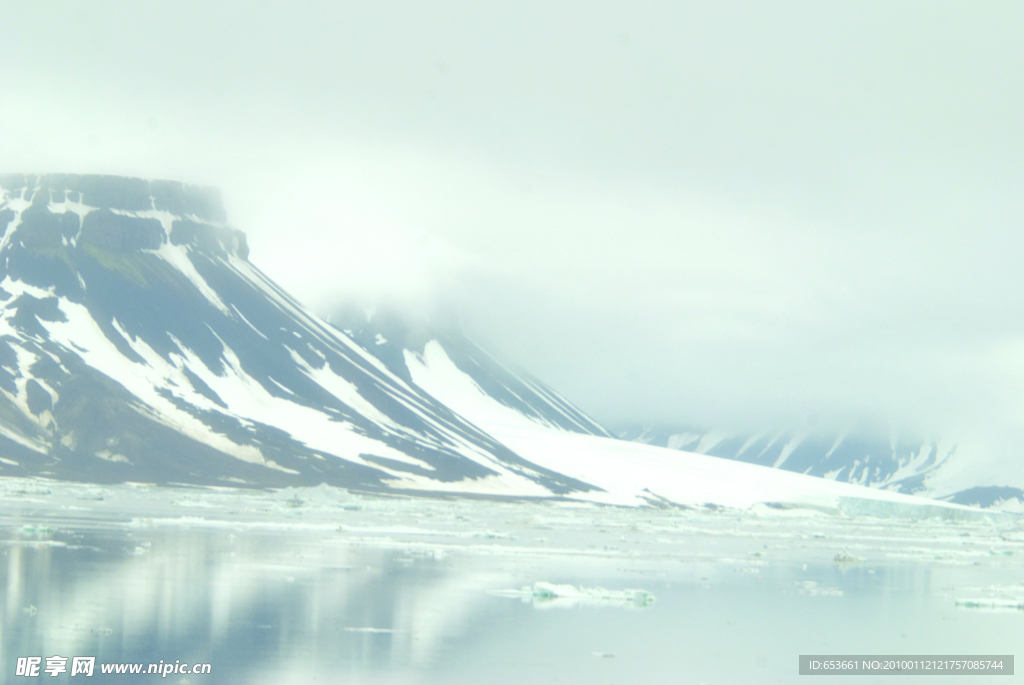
[56, 213]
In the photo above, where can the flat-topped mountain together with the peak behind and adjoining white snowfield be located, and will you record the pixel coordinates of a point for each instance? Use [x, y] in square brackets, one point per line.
[139, 344]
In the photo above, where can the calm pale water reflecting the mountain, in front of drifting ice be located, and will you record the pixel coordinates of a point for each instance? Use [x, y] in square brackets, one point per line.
[286, 605]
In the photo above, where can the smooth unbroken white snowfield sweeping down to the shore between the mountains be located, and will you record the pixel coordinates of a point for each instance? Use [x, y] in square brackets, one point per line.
[632, 474]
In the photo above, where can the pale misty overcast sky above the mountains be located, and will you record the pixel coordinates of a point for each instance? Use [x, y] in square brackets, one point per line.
[713, 213]
